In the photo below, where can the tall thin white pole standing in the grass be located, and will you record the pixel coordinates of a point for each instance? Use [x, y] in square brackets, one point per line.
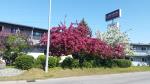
[48, 39]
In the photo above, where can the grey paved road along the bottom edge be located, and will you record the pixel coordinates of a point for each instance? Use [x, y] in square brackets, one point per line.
[125, 78]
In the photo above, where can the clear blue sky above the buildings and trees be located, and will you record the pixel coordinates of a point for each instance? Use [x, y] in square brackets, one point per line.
[135, 14]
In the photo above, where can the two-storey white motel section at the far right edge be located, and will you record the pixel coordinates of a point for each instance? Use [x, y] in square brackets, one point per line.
[141, 54]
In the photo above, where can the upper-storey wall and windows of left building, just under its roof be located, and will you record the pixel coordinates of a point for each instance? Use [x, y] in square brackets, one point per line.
[32, 33]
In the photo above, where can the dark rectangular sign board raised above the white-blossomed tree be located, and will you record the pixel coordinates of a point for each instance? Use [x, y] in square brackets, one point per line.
[113, 15]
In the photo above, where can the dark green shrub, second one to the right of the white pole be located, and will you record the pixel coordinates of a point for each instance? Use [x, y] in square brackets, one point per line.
[67, 63]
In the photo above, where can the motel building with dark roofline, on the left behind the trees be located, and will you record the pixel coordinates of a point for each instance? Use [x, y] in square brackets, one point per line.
[33, 33]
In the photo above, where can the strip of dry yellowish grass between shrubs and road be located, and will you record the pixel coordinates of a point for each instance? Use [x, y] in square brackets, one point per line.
[58, 72]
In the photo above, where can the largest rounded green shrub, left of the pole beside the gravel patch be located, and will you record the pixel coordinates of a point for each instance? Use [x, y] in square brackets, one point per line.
[24, 62]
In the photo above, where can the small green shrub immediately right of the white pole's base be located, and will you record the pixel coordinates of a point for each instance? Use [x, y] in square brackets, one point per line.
[53, 62]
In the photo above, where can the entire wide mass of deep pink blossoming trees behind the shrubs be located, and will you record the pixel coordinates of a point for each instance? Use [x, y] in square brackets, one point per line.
[77, 39]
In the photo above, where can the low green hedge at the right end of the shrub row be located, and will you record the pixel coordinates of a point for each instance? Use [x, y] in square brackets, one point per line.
[123, 63]
